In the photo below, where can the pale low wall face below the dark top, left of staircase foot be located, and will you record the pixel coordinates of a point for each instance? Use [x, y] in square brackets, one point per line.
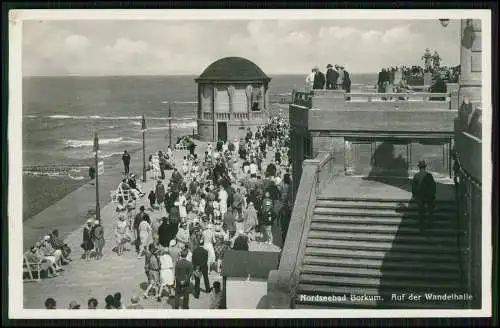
[243, 294]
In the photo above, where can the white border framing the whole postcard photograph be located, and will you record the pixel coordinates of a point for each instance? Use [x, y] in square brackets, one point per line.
[15, 203]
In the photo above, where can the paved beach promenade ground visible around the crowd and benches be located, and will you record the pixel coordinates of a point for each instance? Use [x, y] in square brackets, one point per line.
[83, 279]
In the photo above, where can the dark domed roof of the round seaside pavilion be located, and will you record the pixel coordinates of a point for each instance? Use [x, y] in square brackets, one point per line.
[233, 69]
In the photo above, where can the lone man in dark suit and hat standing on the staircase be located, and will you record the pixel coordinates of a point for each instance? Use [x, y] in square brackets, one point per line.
[424, 192]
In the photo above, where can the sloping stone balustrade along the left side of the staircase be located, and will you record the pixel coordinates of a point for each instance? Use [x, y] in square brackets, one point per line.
[316, 173]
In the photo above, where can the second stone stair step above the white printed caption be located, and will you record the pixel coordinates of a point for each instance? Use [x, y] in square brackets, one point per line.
[382, 272]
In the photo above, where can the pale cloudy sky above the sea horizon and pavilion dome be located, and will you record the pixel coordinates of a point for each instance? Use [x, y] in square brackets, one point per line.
[187, 47]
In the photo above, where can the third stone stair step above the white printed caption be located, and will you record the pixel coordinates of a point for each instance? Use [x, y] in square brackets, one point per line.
[377, 263]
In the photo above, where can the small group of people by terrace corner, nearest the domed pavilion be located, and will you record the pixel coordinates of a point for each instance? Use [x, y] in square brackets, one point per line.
[336, 78]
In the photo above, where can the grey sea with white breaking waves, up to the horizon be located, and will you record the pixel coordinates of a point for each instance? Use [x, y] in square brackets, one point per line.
[61, 114]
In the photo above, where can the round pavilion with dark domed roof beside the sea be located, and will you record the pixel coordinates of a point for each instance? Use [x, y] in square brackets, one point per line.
[232, 98]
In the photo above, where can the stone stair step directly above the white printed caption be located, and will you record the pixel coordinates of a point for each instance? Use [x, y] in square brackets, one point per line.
[378, 282]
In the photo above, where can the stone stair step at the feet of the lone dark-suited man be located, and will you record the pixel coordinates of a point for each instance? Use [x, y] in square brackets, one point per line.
[381, 228]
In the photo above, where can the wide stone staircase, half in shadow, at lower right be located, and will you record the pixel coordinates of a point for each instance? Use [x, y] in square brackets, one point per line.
[374, 249]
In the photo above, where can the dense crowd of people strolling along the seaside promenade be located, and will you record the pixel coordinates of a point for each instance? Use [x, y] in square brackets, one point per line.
[228, 199]
